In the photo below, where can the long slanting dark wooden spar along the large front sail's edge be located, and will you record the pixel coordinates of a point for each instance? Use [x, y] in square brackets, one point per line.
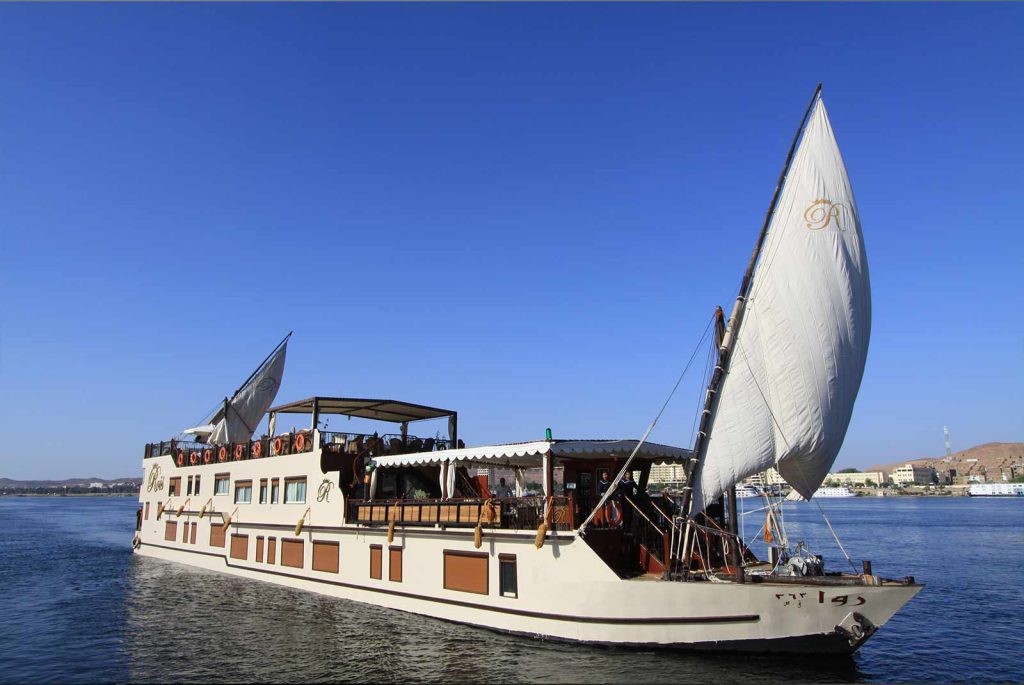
[726, 350]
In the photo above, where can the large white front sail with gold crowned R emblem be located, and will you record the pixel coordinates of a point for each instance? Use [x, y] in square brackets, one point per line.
[799, 358]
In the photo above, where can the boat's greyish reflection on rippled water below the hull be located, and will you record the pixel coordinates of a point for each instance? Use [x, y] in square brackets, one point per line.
[190, 625]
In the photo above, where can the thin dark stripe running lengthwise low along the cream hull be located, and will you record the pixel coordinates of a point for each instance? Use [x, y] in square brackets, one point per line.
[753, 618]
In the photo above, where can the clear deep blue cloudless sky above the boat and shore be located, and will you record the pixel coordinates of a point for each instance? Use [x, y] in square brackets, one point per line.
[526, 212]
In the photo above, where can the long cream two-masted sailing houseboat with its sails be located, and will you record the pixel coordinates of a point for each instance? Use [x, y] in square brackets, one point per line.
[419, 525]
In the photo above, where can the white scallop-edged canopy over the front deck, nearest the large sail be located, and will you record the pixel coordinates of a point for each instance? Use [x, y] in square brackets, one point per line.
[532, 454]
